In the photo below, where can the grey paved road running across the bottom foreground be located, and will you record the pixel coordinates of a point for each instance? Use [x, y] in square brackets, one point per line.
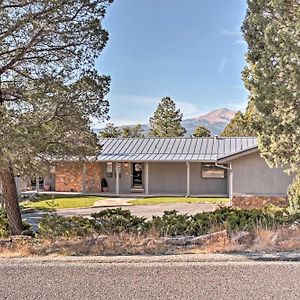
[169, 277]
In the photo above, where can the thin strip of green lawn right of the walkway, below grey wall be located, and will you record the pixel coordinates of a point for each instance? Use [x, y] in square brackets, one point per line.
[160, 200]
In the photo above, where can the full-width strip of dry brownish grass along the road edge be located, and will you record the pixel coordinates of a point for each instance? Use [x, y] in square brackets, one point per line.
[282, 239]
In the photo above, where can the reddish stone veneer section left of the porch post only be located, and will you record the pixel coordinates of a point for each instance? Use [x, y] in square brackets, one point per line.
[68, 177]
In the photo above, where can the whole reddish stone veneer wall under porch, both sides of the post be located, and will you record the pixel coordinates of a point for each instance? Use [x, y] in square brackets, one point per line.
[69, 177]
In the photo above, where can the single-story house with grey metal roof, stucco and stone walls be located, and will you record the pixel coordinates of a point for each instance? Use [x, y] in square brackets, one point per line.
[201, 167]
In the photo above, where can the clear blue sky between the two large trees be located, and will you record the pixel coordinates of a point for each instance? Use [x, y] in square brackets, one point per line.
[192, 51]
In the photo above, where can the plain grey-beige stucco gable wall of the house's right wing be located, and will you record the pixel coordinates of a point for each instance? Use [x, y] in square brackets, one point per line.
[252, 176]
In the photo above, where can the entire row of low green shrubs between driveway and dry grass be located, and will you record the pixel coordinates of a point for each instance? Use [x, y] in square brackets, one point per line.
[116, 221]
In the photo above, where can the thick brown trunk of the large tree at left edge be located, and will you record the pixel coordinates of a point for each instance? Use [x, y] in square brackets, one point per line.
[10, 197]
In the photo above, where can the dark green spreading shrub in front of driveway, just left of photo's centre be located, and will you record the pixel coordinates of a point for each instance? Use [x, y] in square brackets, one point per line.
[118, 220]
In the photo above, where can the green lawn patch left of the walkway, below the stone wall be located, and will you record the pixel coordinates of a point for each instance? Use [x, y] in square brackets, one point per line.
[57, 202]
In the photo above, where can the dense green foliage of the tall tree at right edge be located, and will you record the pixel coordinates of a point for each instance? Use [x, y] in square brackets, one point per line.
[272, 31]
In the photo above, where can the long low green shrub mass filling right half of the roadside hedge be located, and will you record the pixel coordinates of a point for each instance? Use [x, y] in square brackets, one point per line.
[172, 223]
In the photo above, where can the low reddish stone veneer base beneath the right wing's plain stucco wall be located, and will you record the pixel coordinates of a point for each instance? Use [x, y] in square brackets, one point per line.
[250, 202]
